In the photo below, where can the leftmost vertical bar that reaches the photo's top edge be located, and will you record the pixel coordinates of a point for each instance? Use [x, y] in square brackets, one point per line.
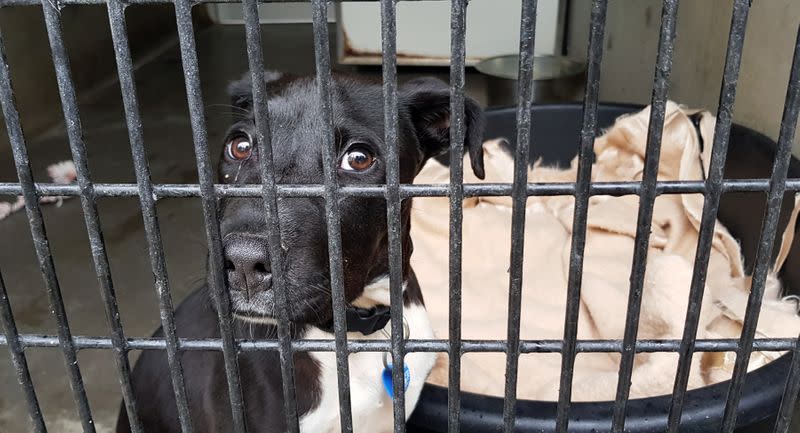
[89, 205]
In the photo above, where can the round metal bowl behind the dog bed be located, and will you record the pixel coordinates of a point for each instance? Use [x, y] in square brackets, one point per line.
[555, 79]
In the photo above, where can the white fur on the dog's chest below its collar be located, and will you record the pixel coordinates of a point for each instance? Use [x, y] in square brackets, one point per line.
[371, 406]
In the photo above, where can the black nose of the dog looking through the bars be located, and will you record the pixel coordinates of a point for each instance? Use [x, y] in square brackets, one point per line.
[247, 263]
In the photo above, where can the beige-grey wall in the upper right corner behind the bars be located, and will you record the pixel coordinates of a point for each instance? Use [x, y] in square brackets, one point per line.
[632, 35]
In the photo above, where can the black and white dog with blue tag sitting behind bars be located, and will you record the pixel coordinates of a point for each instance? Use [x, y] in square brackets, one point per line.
[297, 128]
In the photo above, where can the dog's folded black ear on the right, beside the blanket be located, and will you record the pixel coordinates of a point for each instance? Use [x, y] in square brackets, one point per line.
[428, 102]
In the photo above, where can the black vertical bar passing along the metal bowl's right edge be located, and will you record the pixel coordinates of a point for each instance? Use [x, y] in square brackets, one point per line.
[584, 178]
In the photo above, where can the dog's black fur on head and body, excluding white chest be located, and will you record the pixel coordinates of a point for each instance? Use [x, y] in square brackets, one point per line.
[296, 130]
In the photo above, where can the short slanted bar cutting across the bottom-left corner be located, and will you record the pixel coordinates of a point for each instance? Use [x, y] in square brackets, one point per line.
[17, 352]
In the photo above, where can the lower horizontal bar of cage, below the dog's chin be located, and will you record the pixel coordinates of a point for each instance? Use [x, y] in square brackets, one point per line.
[468, 346]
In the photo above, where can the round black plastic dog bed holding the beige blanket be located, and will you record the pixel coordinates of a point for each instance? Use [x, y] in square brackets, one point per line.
[555, 140]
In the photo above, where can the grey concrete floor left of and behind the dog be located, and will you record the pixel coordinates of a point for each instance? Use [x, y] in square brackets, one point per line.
[167, 133]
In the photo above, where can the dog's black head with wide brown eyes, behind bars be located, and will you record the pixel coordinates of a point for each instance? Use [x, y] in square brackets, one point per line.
[297, 131]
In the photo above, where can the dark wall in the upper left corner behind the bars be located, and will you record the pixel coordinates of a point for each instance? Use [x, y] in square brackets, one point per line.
[88, 40]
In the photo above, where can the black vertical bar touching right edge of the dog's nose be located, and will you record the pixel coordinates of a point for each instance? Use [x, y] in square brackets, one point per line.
[264, 140]
